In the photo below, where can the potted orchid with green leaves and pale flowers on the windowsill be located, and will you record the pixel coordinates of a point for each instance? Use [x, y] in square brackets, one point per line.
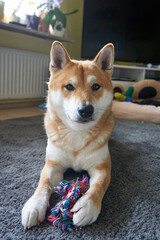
[55, 17]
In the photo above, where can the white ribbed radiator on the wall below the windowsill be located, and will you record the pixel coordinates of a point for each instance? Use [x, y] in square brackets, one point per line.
[23, 74]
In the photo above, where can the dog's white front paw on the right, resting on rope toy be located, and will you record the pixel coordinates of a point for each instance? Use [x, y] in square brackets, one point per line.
[85, 211]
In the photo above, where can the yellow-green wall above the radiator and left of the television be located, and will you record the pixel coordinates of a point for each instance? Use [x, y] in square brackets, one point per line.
[26, 42]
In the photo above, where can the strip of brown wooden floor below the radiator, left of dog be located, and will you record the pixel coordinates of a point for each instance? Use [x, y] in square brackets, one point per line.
[20, 112]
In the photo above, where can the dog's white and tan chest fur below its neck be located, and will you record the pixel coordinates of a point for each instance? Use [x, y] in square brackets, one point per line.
[77, 149]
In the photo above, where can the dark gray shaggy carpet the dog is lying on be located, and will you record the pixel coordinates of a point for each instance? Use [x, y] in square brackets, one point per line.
[131, 206]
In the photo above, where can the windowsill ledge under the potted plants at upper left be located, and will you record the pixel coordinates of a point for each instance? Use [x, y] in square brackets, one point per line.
[31, 32]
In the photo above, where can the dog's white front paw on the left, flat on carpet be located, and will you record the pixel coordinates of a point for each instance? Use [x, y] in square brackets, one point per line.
[34, 211]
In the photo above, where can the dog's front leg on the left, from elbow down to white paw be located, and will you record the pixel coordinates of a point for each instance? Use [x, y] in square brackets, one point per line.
[34, 210]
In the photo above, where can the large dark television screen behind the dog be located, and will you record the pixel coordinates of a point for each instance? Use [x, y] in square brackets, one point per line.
[133, 26]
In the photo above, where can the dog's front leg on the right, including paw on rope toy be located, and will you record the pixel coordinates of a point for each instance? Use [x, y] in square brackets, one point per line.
[88, 207]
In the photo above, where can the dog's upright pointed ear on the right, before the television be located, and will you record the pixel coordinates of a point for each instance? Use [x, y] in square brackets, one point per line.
[105, 58]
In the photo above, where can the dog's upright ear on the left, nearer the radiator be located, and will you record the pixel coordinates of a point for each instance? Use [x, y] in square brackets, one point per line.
[58, 56]
